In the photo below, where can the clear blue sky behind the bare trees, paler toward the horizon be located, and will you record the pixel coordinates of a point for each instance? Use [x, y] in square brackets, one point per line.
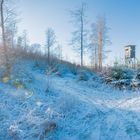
[123, 18]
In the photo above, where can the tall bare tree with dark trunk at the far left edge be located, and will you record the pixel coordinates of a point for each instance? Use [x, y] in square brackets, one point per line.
[8, 25]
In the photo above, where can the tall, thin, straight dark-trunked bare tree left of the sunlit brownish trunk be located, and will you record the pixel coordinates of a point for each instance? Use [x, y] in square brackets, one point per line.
[79, 35]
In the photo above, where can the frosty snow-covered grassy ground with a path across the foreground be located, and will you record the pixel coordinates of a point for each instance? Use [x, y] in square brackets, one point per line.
[64, 108]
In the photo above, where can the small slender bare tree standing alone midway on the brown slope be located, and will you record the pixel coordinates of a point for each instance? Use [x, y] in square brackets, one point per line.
[50, 41]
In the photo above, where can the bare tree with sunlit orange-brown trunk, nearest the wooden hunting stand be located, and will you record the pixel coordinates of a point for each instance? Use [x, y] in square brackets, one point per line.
[99, 40]
